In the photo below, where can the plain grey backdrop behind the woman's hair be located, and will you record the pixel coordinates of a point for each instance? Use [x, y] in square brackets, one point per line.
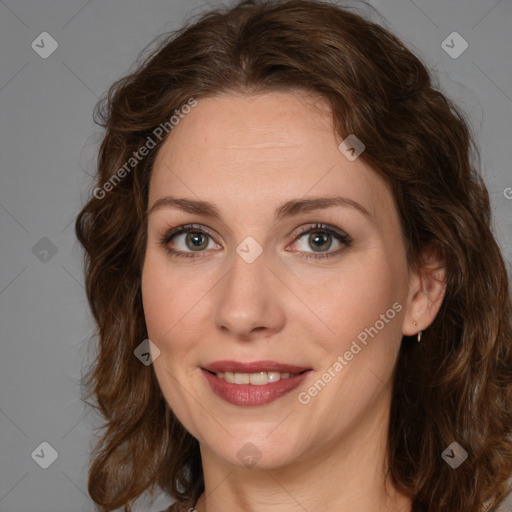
[48, 143]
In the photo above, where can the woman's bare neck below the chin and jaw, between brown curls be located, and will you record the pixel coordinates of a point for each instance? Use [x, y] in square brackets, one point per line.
[348, 475]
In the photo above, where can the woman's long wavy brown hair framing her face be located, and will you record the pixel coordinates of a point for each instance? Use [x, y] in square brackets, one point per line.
[456, 385]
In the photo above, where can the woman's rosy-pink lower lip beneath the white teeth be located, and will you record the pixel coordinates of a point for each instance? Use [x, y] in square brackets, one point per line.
[249, 394]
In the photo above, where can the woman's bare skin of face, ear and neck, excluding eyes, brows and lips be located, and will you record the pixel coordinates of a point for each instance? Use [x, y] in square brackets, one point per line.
[248, 154]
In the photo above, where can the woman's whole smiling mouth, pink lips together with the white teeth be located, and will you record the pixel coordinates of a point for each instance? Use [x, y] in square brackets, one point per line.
[255, 383]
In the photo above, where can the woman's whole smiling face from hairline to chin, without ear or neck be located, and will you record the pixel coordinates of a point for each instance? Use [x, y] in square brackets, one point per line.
[249, 290]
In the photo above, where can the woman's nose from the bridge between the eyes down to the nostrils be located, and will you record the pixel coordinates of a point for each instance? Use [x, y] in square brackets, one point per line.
[246, 301]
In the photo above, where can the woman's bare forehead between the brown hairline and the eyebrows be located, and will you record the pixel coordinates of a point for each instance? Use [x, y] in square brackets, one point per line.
[258, 150]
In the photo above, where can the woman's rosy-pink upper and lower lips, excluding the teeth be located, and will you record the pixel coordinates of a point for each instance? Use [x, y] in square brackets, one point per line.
[248, 394]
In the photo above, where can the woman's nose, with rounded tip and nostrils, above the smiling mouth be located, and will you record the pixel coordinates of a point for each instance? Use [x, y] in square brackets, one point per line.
[249, 301]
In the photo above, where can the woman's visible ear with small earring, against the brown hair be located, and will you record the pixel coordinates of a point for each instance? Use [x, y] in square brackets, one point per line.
[427, 287]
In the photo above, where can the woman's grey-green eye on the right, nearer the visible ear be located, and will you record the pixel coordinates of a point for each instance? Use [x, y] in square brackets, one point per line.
[319, 238]
